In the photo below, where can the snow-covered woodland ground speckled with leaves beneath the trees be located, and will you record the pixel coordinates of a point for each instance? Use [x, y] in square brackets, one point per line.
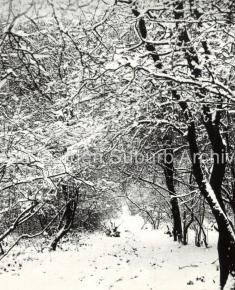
[138, 260]
